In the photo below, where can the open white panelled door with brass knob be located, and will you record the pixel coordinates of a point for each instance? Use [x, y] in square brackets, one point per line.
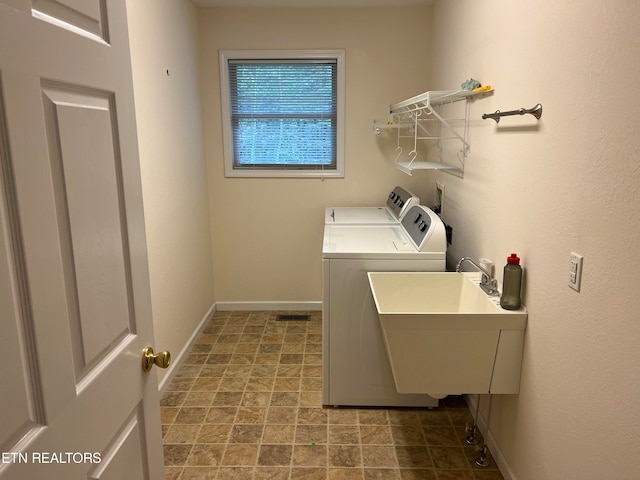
[75, 309]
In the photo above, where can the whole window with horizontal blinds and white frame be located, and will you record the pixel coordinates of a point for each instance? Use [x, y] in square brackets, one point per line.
[283, 113]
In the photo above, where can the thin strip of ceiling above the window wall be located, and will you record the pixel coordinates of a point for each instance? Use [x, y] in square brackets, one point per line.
[310, 3]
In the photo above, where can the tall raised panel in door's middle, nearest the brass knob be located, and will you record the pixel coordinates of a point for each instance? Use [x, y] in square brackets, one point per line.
[87, 170]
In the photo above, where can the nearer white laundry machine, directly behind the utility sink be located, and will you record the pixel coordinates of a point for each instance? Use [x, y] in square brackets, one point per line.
[356, 369]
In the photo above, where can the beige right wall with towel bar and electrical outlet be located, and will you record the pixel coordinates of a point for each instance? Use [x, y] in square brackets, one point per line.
[570, 184]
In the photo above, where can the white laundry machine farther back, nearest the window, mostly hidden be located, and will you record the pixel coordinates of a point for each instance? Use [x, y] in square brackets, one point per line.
[399, 202]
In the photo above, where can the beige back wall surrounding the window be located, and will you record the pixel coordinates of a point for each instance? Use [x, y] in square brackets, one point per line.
[274, 253]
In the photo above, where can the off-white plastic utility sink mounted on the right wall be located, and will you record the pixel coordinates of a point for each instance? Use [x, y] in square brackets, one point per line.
[444, 335]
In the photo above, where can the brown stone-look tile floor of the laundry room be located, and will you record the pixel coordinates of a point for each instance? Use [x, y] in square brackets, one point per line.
[246, 405]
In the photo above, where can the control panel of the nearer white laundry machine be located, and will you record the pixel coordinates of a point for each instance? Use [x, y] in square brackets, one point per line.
[425, 229]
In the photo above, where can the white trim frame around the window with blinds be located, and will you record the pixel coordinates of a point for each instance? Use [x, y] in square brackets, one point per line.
[286, 170]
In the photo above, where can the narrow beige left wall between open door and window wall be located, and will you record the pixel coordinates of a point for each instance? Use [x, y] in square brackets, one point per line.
[164, 37]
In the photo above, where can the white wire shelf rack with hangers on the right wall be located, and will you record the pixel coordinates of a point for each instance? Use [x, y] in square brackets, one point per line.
[411, 117]
